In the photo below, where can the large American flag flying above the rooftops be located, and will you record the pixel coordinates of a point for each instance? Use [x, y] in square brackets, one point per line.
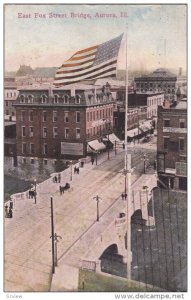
[90, 63]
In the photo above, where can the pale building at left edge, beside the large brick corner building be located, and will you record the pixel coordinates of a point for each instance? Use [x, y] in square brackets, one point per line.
[10, 95]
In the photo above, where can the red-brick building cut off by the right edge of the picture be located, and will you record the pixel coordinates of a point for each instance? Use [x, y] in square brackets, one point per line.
[172, 146]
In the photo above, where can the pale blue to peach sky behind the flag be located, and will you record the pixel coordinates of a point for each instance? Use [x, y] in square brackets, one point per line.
[157, 34]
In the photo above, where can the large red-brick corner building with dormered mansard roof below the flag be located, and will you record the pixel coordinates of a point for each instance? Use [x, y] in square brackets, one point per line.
[57, 123]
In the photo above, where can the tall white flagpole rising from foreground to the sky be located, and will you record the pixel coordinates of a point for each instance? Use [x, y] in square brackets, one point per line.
[127, 171]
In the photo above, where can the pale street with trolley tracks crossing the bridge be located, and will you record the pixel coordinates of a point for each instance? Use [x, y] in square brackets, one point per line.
[27, 235]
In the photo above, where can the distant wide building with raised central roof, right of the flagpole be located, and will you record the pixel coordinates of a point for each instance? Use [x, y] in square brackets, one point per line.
[161, 80]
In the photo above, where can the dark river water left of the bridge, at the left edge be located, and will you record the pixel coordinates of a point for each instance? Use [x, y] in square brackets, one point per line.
[14, 185]
